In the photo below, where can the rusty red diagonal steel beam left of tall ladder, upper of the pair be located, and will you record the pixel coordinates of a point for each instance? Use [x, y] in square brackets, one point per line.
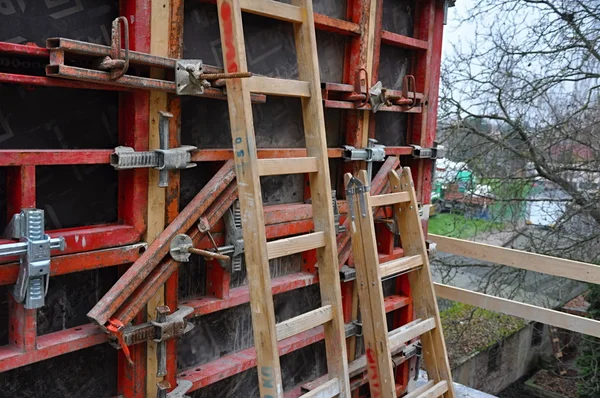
[136, 274]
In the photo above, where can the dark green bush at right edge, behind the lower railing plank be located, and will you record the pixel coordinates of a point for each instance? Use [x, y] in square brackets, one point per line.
[588, 360]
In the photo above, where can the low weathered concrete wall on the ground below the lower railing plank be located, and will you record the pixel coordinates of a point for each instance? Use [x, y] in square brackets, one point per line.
[516, 356]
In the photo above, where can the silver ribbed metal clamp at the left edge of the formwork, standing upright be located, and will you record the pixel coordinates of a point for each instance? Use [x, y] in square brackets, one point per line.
[34, 249]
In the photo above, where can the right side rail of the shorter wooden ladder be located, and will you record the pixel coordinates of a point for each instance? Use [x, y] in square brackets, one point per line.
[424, 299]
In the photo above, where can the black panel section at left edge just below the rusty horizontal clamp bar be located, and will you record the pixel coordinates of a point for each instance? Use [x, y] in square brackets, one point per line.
[59, 118]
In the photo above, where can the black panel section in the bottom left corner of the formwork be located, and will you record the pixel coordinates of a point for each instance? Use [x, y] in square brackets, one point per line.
[89, 373]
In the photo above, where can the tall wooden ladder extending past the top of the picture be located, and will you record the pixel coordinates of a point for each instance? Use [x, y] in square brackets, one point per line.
[249, 169]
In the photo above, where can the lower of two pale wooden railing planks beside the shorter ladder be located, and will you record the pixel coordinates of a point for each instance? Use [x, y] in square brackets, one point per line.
[526, 311]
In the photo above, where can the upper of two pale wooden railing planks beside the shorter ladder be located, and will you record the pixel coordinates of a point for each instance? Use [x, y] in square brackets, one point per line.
[584, 272]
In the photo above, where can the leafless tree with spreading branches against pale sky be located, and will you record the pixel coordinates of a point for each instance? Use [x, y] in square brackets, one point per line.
[520, 104]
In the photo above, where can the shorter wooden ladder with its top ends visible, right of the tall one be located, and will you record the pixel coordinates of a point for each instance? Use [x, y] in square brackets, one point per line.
[369, 274]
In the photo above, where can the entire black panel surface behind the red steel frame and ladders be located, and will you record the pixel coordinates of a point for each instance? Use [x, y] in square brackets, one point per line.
[59, 118]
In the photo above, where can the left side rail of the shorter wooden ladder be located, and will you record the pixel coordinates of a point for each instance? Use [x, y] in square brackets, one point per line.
[370, 292]
